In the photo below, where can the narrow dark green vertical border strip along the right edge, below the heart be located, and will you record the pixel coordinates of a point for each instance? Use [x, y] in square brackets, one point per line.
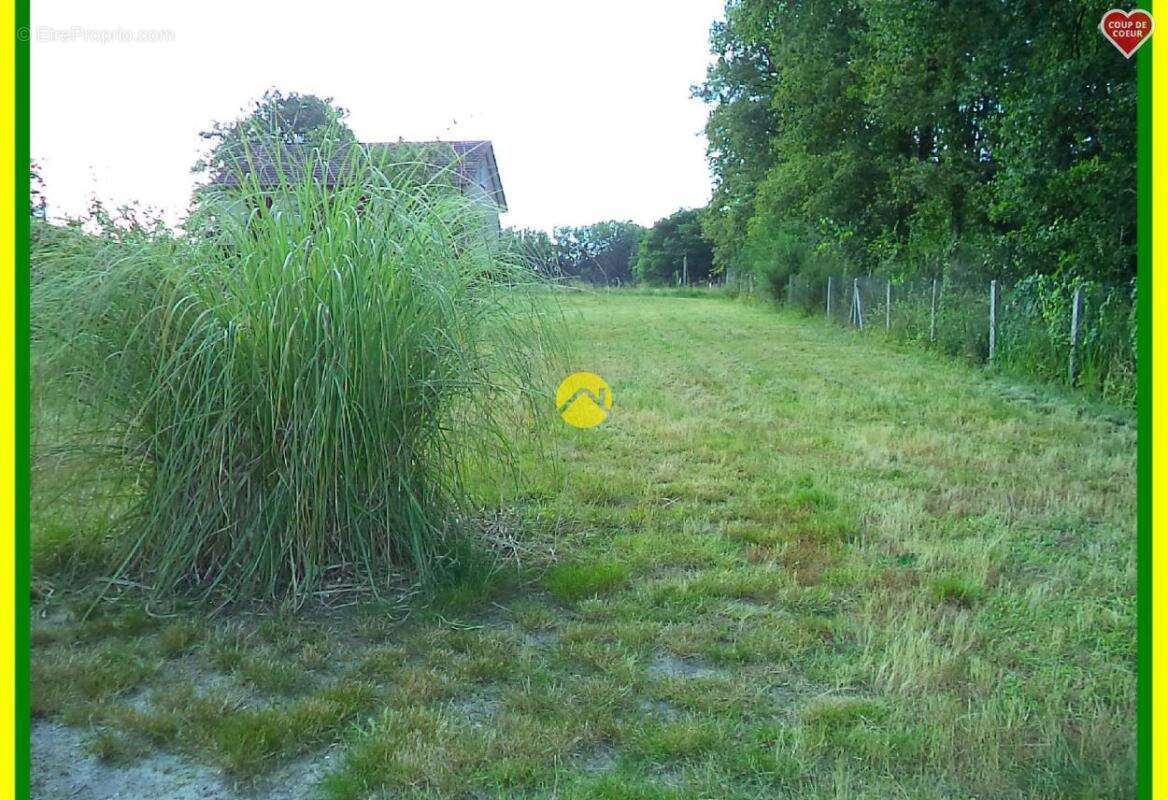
[1144, 435]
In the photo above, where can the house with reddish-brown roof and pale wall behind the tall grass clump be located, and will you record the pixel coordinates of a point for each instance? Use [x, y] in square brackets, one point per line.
[470, 164]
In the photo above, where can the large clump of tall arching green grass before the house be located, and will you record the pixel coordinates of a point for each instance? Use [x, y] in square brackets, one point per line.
[297, 391]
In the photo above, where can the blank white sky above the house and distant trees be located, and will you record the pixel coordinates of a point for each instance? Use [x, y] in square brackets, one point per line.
[587, 102]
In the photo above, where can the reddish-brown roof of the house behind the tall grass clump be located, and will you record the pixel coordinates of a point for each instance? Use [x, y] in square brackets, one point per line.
[472, 163]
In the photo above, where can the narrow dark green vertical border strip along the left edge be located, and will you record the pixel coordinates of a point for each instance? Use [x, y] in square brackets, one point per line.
[22, 763]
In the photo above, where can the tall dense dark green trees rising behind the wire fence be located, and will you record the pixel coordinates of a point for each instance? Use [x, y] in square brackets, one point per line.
[900, 140]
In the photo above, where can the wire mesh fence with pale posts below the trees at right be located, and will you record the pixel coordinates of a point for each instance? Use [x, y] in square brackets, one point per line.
[1081, 335]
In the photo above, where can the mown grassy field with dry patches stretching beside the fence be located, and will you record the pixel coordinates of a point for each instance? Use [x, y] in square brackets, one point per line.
[792, 564]
